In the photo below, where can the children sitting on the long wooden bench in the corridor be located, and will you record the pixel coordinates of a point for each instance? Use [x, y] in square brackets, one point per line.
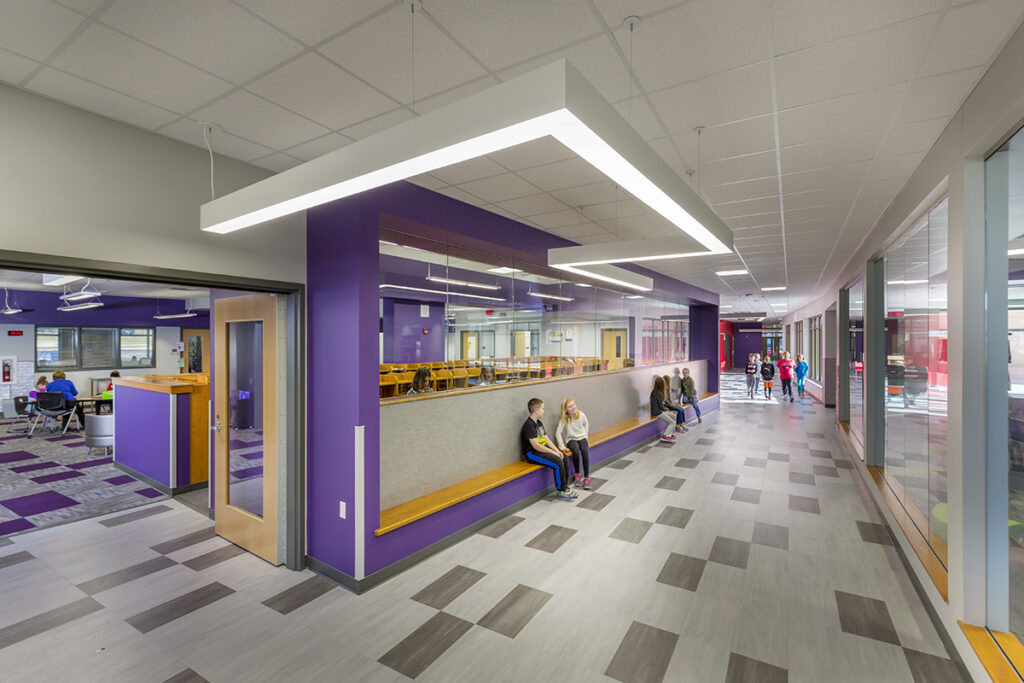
[571, 451]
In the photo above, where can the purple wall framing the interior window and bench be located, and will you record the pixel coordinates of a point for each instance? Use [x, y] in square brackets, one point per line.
[344, 278]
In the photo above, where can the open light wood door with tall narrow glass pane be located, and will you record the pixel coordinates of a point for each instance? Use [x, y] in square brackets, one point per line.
[246, 413]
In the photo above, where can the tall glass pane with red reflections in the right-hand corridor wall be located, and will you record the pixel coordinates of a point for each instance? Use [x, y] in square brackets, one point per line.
[916, 375]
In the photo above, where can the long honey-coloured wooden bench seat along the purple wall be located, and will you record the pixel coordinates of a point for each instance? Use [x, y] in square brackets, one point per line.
[419, 508]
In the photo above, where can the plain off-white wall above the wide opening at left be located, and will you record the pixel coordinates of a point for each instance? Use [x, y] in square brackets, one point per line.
[74, 184]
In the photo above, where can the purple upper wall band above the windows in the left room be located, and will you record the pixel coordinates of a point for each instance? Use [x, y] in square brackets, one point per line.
[41, 309]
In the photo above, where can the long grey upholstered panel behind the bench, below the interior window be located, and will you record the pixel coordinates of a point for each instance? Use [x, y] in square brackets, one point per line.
[434, 443]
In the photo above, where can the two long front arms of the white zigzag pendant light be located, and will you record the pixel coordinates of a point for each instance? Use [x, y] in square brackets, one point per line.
[553, 101]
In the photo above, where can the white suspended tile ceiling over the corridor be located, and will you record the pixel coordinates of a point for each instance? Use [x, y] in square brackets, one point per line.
[817, 111]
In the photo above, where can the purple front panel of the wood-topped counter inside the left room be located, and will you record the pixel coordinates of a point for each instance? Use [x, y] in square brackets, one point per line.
[143, 433]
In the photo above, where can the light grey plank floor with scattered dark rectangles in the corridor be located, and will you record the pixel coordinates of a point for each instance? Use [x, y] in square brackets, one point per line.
[745, 552]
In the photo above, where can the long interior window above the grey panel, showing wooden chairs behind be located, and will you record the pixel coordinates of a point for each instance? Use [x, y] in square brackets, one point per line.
[473, 319]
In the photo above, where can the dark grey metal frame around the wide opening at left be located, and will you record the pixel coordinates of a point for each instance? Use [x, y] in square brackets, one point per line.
[295, 326]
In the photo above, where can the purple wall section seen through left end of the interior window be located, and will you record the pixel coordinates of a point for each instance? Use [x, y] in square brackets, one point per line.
[405, 340]
